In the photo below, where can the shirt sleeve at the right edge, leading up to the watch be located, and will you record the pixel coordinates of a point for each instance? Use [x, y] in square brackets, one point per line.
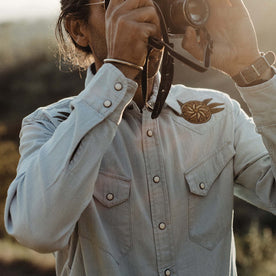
[256, 152]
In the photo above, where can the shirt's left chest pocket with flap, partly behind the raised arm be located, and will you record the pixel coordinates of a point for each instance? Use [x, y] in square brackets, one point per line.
[106, 221]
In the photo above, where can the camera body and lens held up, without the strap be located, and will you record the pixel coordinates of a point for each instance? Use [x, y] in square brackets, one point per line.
[179, 14]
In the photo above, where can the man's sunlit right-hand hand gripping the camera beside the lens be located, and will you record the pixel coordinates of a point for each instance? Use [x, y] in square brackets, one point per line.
[233, 34]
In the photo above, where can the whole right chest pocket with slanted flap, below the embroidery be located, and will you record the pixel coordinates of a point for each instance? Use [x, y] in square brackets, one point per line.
[211, 198]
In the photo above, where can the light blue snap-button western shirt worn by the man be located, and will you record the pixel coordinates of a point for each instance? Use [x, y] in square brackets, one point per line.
[114, 192]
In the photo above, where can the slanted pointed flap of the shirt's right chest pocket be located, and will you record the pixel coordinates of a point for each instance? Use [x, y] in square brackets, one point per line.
[201, 177]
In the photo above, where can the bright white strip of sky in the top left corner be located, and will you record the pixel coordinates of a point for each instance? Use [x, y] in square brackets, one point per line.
[12, 10]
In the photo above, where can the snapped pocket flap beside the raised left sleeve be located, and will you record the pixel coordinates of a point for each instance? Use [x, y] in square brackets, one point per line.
[111, 190]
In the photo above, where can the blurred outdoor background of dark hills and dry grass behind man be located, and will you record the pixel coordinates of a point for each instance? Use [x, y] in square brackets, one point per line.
[30, 78]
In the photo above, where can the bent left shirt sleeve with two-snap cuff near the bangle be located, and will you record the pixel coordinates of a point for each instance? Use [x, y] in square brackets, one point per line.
[59, 165]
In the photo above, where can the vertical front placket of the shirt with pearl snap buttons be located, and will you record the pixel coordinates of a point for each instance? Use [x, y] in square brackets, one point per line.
[158, 195]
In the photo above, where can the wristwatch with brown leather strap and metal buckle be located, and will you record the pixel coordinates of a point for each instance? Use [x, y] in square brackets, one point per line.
[253, 73]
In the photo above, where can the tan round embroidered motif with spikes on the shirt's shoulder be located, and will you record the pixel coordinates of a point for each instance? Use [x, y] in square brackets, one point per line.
[197, 112]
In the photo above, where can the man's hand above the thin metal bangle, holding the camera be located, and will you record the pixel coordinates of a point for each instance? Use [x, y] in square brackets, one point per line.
[129, 24]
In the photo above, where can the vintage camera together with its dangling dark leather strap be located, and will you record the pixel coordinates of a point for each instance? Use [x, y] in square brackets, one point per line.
[175, 16]
